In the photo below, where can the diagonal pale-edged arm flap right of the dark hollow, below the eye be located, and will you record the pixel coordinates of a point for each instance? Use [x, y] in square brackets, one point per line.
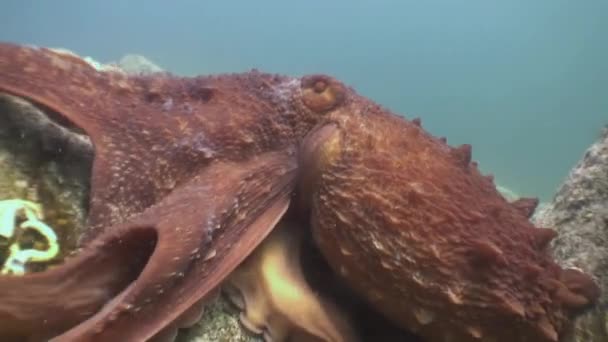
[190, 219]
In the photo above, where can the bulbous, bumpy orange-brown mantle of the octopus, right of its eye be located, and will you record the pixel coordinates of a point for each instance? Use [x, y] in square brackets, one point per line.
[414, 227]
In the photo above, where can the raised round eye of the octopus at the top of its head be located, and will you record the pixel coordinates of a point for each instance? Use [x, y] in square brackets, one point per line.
[321, 93]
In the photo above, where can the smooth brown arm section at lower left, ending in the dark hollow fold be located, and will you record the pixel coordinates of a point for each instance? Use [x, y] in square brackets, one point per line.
[41, 305]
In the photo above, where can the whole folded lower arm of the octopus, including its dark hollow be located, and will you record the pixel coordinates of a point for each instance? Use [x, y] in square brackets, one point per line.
[145, 275]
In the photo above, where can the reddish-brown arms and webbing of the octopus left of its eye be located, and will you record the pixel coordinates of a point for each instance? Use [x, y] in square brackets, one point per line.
[182, 168]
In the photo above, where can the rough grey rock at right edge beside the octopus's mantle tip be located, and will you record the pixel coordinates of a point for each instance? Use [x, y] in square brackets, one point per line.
[579, 213]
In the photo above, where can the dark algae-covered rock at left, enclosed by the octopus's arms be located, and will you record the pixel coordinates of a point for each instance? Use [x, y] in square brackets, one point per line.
[45, 163]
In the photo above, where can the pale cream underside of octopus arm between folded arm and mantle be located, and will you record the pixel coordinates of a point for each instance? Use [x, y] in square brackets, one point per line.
[275, 298]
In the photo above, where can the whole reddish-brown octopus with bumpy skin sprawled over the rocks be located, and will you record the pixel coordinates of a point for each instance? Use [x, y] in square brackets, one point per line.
[190, 175]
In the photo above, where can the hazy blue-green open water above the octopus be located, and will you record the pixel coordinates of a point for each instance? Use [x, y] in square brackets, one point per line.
[524, 82]
